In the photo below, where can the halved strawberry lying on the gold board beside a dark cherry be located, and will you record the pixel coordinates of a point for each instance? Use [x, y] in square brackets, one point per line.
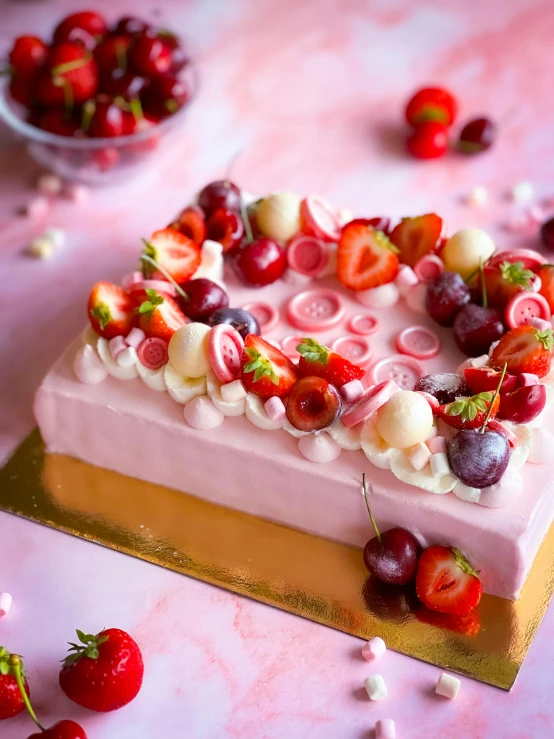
[446, 582]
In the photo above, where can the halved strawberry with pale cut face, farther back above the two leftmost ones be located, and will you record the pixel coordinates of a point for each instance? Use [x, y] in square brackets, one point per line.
[178, 255]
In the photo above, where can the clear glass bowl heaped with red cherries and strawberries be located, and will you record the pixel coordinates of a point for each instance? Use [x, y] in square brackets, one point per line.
[97, 101]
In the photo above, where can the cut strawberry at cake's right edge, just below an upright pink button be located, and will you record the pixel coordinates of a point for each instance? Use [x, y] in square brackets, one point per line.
[524, 349]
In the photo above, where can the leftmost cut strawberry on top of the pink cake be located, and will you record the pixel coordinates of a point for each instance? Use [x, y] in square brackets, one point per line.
[110, 310]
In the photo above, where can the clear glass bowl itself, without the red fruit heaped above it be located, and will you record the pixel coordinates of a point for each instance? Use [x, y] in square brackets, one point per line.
[102, 161]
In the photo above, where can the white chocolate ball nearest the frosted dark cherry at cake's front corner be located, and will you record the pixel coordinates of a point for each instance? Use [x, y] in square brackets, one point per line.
[405, 419]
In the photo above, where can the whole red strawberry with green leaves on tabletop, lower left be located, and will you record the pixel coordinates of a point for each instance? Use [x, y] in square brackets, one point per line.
[104, 672]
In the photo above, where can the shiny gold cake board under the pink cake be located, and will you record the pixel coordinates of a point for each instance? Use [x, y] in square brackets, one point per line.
[303, 574]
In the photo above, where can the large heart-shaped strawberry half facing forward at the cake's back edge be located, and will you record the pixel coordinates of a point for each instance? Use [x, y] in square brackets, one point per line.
[365, 258]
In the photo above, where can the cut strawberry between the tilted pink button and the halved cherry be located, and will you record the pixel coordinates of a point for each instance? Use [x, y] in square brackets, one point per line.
[265, 370]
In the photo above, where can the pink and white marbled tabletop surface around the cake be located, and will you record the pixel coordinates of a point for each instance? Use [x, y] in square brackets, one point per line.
[310, 93]
